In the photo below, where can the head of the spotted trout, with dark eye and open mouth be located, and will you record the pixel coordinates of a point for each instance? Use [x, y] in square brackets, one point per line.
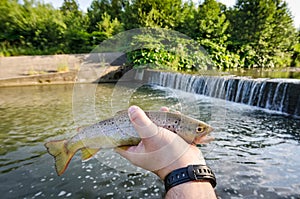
[193, 130]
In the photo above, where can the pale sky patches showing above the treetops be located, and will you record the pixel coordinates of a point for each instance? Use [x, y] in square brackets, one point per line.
[294, 6]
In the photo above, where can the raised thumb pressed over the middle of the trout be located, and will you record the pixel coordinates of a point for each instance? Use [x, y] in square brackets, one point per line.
[142, 124]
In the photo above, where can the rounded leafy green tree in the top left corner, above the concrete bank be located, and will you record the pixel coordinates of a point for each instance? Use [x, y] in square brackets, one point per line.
[30, 28]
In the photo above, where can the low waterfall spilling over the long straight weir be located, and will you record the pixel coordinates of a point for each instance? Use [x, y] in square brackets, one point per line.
[281, 95]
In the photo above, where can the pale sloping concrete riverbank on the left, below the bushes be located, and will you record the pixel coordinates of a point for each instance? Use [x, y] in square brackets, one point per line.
[58, 69]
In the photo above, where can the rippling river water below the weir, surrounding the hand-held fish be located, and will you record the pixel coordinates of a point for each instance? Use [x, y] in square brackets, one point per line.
[255, 153]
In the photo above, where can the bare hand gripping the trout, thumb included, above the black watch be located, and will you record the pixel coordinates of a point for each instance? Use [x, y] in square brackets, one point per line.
[160, 150]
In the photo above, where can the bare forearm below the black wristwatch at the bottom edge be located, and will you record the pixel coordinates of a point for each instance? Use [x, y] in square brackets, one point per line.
[192, 190]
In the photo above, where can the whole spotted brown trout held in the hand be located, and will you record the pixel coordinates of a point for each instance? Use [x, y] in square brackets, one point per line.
[119, 131]
